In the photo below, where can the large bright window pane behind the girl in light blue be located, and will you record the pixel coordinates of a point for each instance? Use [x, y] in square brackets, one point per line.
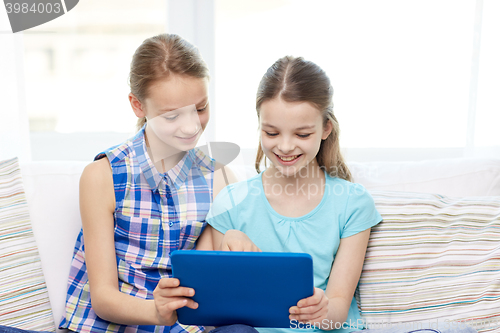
[400, 70]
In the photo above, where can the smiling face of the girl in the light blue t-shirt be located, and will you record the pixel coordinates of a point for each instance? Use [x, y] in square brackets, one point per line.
[291, 134]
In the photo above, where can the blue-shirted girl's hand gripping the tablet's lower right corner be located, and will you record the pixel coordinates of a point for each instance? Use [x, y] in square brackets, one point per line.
[312, 309]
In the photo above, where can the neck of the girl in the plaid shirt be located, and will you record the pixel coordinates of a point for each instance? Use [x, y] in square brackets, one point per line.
[164, 157]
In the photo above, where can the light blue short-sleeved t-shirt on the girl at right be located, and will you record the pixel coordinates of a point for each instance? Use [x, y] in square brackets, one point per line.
[345, 210]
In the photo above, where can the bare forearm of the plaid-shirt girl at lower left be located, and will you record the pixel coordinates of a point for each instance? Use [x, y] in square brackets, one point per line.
[114, 306]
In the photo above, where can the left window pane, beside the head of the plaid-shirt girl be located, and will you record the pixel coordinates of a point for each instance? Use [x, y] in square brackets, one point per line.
[76, 69]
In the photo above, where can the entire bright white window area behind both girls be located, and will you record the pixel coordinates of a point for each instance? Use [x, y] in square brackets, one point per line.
[402, 72]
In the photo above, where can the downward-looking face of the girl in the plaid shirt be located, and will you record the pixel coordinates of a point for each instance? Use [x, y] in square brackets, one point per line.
[177, 112]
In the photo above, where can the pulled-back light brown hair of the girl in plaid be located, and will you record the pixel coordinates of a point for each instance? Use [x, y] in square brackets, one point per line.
[157, 58]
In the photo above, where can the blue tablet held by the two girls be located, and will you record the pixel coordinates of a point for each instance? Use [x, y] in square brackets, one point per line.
[252, 288]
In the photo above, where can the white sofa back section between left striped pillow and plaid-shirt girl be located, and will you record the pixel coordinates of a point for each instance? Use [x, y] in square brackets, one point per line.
[52, 195]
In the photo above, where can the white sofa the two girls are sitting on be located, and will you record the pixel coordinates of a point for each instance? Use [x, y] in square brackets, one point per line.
[52, 194]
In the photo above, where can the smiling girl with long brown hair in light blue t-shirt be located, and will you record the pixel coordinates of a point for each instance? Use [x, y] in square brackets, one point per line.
[304, 200]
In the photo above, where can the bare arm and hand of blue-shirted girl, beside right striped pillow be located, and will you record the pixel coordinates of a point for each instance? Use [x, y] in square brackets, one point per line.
[333, 305]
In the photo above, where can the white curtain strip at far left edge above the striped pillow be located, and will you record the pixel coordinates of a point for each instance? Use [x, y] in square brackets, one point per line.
[14, 127]
